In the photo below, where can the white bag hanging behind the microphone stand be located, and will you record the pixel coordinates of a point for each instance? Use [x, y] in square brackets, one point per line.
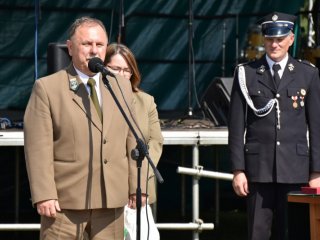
[130, 224]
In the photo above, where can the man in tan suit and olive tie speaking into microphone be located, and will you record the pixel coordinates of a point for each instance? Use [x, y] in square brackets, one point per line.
[77, 145]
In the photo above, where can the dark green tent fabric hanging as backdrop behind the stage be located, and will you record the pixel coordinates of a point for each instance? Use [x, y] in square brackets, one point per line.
[157, 32]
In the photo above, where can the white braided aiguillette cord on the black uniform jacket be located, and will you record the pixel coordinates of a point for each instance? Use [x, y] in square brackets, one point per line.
[262, 111]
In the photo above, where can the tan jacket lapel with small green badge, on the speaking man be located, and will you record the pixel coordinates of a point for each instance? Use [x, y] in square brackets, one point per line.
[80, 96]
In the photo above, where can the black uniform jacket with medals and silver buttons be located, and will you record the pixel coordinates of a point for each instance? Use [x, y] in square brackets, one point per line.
[257, 146]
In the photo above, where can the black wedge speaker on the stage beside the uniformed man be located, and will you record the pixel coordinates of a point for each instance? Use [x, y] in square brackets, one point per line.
[216, 100]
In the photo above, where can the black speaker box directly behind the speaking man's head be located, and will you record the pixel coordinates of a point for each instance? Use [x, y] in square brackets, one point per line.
[57, 57]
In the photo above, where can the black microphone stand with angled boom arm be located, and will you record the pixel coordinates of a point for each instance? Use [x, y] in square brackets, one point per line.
[138, 154]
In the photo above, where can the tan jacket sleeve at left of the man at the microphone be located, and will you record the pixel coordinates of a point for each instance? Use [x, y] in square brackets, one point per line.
[38, 137]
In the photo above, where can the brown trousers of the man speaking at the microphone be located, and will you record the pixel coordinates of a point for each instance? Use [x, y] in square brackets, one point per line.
[94, 224]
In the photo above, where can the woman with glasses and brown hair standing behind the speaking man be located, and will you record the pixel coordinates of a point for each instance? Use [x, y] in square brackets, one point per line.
[120, 60]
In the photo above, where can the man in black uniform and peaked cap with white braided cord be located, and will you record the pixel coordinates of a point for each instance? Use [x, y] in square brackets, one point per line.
[271, 110]
